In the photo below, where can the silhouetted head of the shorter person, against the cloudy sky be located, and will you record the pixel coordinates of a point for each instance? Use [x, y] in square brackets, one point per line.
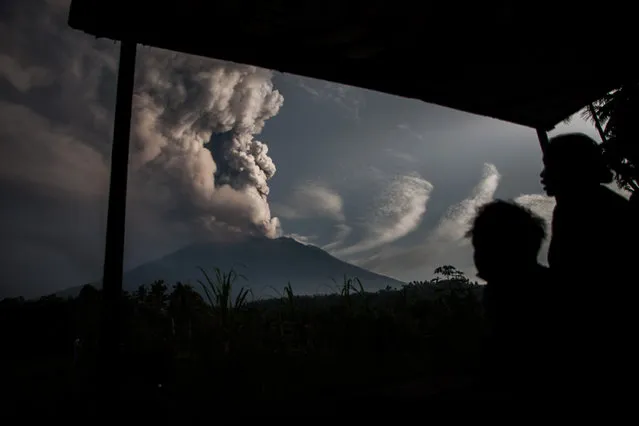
[506, 238]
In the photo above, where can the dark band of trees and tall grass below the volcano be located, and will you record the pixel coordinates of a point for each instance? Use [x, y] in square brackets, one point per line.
[177, 342]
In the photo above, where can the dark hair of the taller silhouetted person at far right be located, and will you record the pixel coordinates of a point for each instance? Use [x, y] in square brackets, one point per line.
[579, 152]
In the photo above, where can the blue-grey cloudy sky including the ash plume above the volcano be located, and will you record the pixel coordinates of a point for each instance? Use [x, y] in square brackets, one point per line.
[222, 150]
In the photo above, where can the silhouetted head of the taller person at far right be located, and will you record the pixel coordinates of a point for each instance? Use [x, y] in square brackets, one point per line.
[573, 162]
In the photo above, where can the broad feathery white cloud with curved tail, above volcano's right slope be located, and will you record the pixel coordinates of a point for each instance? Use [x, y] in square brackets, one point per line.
[399, 211]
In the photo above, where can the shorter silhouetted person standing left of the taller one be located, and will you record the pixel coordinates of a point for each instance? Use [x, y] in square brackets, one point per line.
[506, 239]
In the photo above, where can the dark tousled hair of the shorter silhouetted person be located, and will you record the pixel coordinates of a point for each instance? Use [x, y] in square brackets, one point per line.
[503, 224]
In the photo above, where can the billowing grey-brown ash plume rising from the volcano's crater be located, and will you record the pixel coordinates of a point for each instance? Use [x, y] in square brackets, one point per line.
[180, 103]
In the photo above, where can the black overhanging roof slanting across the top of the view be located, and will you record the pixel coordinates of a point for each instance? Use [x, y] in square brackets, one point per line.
[524, 63]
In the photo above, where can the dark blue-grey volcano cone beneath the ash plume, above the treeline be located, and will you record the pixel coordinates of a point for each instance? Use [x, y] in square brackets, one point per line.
[264, 262]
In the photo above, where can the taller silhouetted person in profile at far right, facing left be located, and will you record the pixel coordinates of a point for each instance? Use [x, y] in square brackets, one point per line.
[592, 253]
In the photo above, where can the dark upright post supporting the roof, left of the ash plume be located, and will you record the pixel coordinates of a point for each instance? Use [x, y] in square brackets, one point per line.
[114, 248]
